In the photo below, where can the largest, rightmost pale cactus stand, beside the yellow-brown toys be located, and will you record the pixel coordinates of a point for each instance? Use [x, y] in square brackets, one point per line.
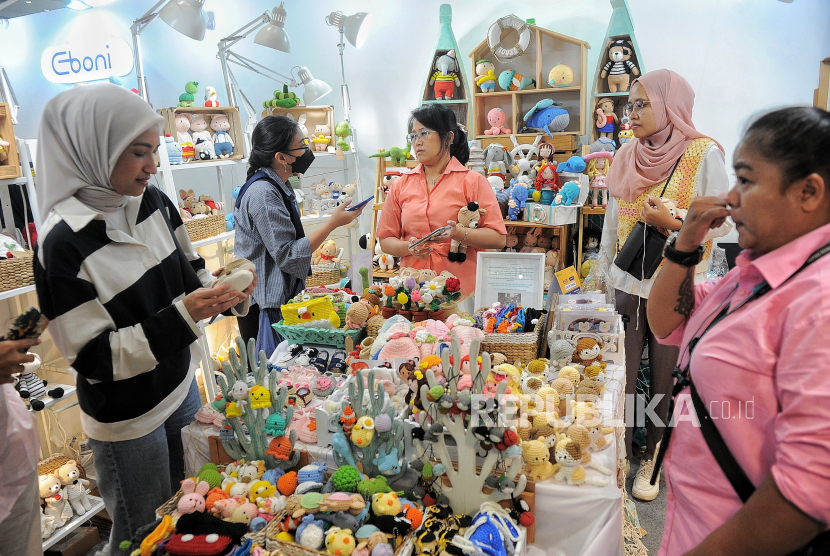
[465, 491]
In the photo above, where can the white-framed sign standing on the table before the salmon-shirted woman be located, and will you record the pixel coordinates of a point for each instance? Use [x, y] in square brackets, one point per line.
[508, 277]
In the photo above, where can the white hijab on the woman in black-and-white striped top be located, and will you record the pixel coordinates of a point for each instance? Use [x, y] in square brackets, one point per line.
[83, 132]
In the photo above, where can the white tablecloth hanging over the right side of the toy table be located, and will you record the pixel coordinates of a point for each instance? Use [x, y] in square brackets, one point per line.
[585, 520]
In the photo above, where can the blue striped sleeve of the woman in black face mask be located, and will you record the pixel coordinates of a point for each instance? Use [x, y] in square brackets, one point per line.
[271, 218]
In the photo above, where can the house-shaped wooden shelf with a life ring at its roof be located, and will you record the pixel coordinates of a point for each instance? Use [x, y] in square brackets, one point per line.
[547, 49]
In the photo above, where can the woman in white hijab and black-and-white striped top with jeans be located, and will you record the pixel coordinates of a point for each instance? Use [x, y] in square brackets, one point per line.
[117, 276]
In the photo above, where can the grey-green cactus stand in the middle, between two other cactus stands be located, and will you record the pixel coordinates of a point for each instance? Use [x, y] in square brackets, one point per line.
[370, 456]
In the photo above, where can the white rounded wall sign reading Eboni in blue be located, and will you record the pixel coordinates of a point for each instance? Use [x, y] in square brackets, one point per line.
[92, 59]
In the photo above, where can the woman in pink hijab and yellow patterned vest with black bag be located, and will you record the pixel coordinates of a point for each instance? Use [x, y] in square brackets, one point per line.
[668, 159]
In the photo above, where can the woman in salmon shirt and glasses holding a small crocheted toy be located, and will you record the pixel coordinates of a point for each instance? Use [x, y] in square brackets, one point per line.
[430, 195]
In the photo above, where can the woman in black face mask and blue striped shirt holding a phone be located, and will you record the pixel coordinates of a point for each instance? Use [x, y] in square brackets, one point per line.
[269, 231]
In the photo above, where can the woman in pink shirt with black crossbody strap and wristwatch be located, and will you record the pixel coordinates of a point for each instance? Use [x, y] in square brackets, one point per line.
[754, 350]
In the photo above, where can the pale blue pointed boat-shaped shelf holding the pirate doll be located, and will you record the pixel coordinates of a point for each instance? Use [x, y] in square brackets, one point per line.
[619, 28]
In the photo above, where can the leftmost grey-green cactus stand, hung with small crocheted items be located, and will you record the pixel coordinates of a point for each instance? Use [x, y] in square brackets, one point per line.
[254, 445]
